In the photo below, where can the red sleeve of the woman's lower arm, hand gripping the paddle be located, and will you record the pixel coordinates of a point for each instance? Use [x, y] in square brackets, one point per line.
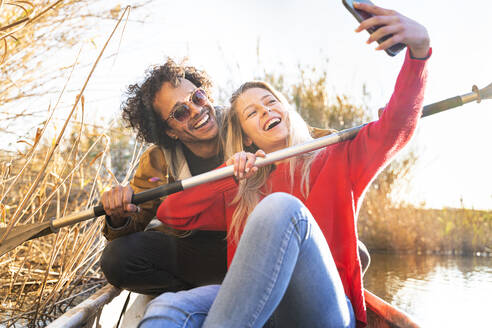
[200, 207]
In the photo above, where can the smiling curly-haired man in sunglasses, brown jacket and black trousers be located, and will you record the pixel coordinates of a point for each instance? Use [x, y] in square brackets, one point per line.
[171, 110]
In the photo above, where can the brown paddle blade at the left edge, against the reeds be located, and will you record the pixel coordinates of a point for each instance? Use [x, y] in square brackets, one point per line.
[18, 235]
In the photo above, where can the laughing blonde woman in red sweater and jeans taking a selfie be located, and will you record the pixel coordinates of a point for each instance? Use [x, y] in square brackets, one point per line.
[292, 240]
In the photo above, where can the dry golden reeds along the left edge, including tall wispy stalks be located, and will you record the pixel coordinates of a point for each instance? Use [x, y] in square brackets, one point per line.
[54, 176]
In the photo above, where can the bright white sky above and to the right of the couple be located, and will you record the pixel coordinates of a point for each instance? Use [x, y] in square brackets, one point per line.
[222, 36]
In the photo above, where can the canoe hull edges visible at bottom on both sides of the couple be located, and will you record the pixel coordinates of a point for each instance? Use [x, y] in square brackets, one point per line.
[103, 309]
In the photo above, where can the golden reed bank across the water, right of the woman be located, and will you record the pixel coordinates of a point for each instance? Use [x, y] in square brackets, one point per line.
[417, 230]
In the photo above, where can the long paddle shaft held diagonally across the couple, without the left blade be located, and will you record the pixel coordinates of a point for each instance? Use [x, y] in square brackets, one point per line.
[270, 158]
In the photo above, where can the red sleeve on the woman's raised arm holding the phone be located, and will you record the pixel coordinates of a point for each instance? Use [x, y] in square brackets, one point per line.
[379, 141]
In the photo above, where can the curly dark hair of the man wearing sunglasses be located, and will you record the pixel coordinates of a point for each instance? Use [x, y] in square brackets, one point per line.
[138, 109]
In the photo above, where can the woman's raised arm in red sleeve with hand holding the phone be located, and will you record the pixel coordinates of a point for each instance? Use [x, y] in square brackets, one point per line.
[377, 143]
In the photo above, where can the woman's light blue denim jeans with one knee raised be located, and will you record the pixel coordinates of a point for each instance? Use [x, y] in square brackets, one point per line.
[282, 270]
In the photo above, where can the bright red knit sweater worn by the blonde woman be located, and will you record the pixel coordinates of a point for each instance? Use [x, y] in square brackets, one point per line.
[340, 174]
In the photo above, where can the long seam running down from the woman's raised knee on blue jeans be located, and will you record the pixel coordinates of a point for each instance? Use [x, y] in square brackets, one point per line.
[283, 247]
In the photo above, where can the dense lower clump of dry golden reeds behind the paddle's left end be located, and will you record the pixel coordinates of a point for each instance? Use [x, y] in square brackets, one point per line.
[39, 274]
